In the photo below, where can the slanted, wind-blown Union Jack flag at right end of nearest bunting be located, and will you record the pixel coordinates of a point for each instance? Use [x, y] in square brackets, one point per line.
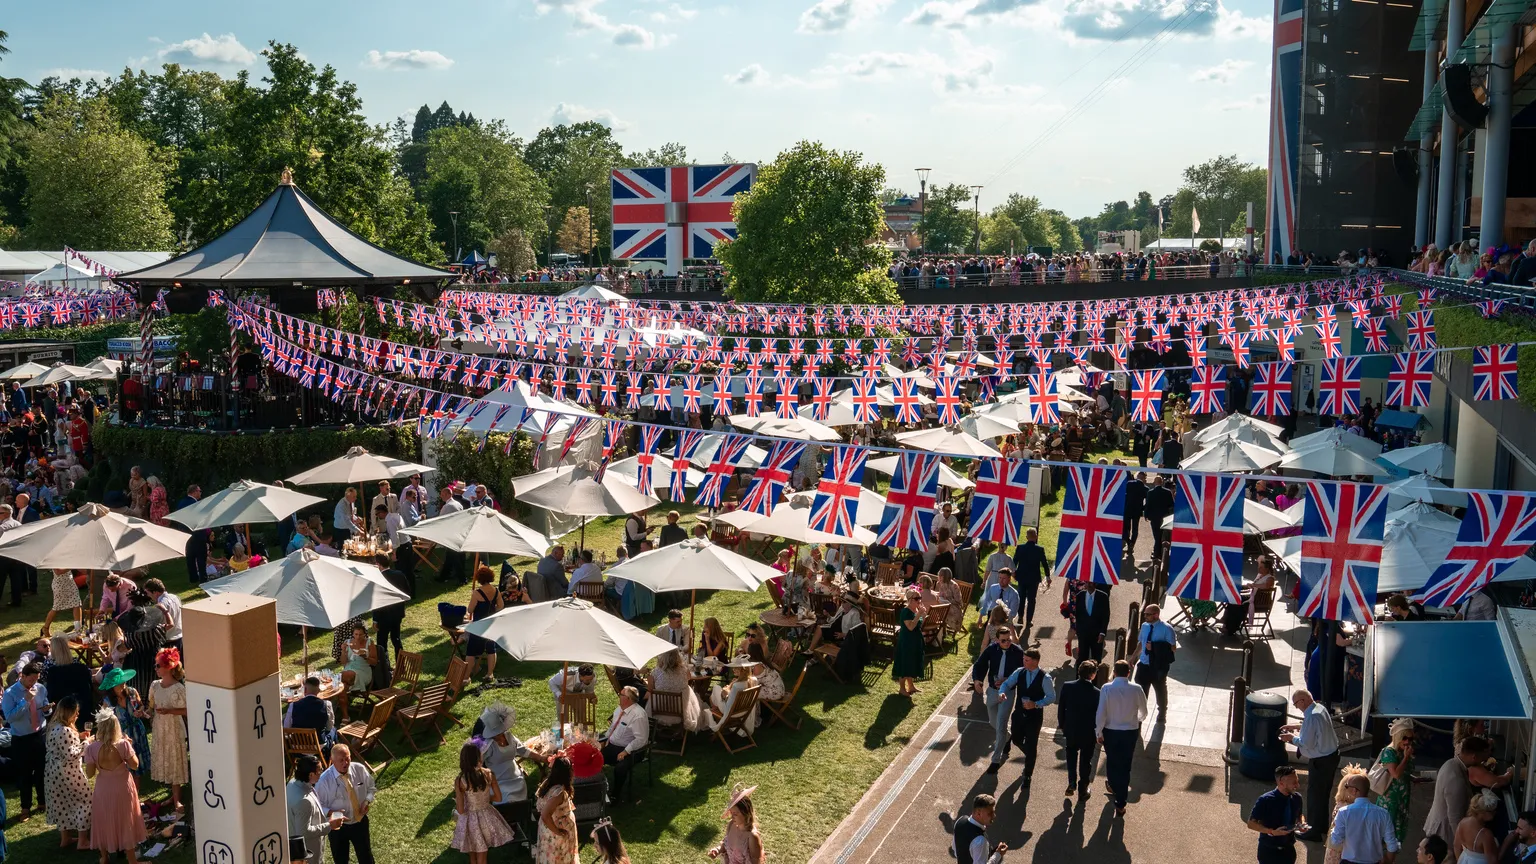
[1495, 533]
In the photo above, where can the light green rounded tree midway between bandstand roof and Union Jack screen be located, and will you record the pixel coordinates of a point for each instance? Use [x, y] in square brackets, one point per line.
[478, 173]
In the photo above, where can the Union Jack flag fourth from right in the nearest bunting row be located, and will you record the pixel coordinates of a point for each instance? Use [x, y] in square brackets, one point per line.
[1093, 519]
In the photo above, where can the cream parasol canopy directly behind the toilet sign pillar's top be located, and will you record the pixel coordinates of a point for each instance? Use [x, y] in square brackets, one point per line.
[314, 591]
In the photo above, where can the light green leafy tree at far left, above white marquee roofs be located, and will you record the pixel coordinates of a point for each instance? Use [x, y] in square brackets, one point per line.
[94, 185]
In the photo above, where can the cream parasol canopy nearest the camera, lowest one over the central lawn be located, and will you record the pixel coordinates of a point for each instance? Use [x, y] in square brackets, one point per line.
[569, 631]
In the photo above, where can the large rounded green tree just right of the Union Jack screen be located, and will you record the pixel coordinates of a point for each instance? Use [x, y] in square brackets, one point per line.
[809, 231]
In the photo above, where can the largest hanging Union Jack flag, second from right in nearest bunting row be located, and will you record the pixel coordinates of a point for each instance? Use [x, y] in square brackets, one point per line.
[1342, 539]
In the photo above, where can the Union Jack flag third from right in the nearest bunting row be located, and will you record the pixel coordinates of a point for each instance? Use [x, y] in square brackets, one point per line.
[1205, 556]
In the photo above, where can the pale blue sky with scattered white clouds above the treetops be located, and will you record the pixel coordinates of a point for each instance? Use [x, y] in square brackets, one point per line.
[1078, 102]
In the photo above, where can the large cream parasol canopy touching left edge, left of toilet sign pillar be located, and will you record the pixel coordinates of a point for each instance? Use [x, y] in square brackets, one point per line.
[93, 539]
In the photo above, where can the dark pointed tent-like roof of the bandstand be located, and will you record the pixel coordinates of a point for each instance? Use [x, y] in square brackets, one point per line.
[285, 242]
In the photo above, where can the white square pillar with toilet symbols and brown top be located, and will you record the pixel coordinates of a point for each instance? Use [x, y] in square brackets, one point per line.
[236, 731]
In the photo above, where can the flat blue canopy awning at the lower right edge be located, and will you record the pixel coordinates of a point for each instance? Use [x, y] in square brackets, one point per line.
[1489, 680]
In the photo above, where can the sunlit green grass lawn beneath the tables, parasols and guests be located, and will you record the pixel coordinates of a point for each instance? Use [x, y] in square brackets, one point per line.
[809, 780]
